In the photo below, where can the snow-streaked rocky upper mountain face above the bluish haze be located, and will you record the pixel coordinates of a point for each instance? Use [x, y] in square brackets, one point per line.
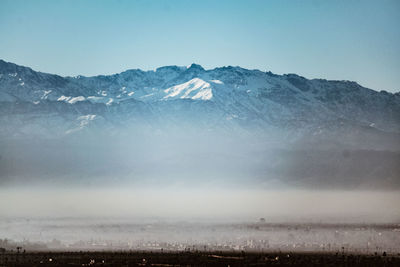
[230, 98]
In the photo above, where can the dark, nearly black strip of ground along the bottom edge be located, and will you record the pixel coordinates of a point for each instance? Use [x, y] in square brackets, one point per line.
[194, 258]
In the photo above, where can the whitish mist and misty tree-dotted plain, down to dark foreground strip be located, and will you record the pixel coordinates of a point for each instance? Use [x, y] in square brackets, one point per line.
[202, 218]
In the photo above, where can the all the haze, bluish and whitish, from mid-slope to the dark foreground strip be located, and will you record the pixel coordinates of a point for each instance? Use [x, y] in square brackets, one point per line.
[203, 189]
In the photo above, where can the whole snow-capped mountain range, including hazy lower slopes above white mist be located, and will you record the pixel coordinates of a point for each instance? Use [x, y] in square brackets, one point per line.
[192, 124]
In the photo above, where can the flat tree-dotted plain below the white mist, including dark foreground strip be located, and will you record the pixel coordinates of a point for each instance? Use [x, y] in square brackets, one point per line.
[76, 242]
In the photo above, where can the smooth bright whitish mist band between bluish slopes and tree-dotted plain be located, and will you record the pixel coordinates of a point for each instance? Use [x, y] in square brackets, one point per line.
[205, 203]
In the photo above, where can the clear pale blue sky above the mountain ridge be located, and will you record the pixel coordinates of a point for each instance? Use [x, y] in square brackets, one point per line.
[345, 40]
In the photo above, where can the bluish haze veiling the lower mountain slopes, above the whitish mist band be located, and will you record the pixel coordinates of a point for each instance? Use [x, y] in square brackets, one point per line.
[203, 158]
